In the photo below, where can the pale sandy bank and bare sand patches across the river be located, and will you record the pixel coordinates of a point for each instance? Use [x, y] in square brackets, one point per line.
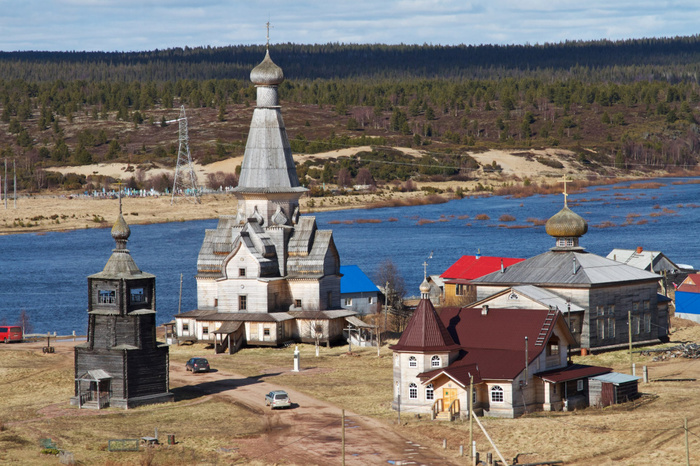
[63, 212]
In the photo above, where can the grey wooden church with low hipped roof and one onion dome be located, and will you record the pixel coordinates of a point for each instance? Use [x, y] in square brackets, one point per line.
[606, 290]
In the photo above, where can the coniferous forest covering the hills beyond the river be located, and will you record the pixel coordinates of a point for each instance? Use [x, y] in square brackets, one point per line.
[624, 105]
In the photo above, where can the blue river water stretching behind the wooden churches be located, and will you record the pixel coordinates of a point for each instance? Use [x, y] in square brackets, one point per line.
[46, 274]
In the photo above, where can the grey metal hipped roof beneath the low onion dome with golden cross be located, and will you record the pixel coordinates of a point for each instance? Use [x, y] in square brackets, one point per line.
[576, 268]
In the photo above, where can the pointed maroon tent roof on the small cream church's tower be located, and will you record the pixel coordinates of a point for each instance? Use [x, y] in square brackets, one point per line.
[425, 331]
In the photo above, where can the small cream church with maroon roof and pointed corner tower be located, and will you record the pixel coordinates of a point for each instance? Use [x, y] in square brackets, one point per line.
[514, 360]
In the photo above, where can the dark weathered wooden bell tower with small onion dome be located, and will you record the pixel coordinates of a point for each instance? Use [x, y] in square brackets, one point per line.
[122, 364]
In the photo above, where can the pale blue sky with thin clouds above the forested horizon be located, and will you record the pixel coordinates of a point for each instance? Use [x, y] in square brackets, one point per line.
[136, 25]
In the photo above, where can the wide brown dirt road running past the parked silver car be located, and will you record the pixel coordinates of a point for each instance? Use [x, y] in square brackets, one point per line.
[309, 432]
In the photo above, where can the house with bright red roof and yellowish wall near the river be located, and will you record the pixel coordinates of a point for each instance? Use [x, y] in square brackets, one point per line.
[457, 279]
